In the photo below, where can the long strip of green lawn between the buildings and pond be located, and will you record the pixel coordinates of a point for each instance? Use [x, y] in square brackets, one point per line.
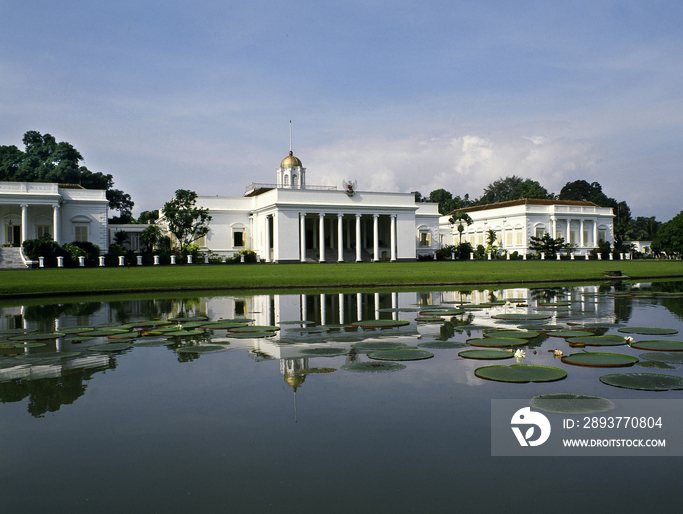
[273, 276]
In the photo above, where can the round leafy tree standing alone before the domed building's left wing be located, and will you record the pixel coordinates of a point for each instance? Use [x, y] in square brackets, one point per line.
[185, 220]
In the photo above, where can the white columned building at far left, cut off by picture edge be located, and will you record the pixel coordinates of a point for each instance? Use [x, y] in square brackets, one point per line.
[28, 210]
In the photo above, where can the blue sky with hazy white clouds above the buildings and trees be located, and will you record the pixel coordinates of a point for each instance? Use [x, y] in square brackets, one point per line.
[400, 96]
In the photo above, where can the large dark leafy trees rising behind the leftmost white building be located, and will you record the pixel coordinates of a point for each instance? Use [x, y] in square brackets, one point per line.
[46, 160]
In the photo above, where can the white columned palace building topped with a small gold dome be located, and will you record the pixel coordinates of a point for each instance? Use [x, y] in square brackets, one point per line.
[291, 221]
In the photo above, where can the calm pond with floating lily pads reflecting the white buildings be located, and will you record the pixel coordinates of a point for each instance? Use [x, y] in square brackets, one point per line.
[189, 415]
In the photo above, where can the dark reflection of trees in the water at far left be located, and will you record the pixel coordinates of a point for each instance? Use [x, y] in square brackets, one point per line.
[49, 394]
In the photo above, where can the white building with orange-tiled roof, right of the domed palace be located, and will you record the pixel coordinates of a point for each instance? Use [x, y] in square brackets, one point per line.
[583, 224]
